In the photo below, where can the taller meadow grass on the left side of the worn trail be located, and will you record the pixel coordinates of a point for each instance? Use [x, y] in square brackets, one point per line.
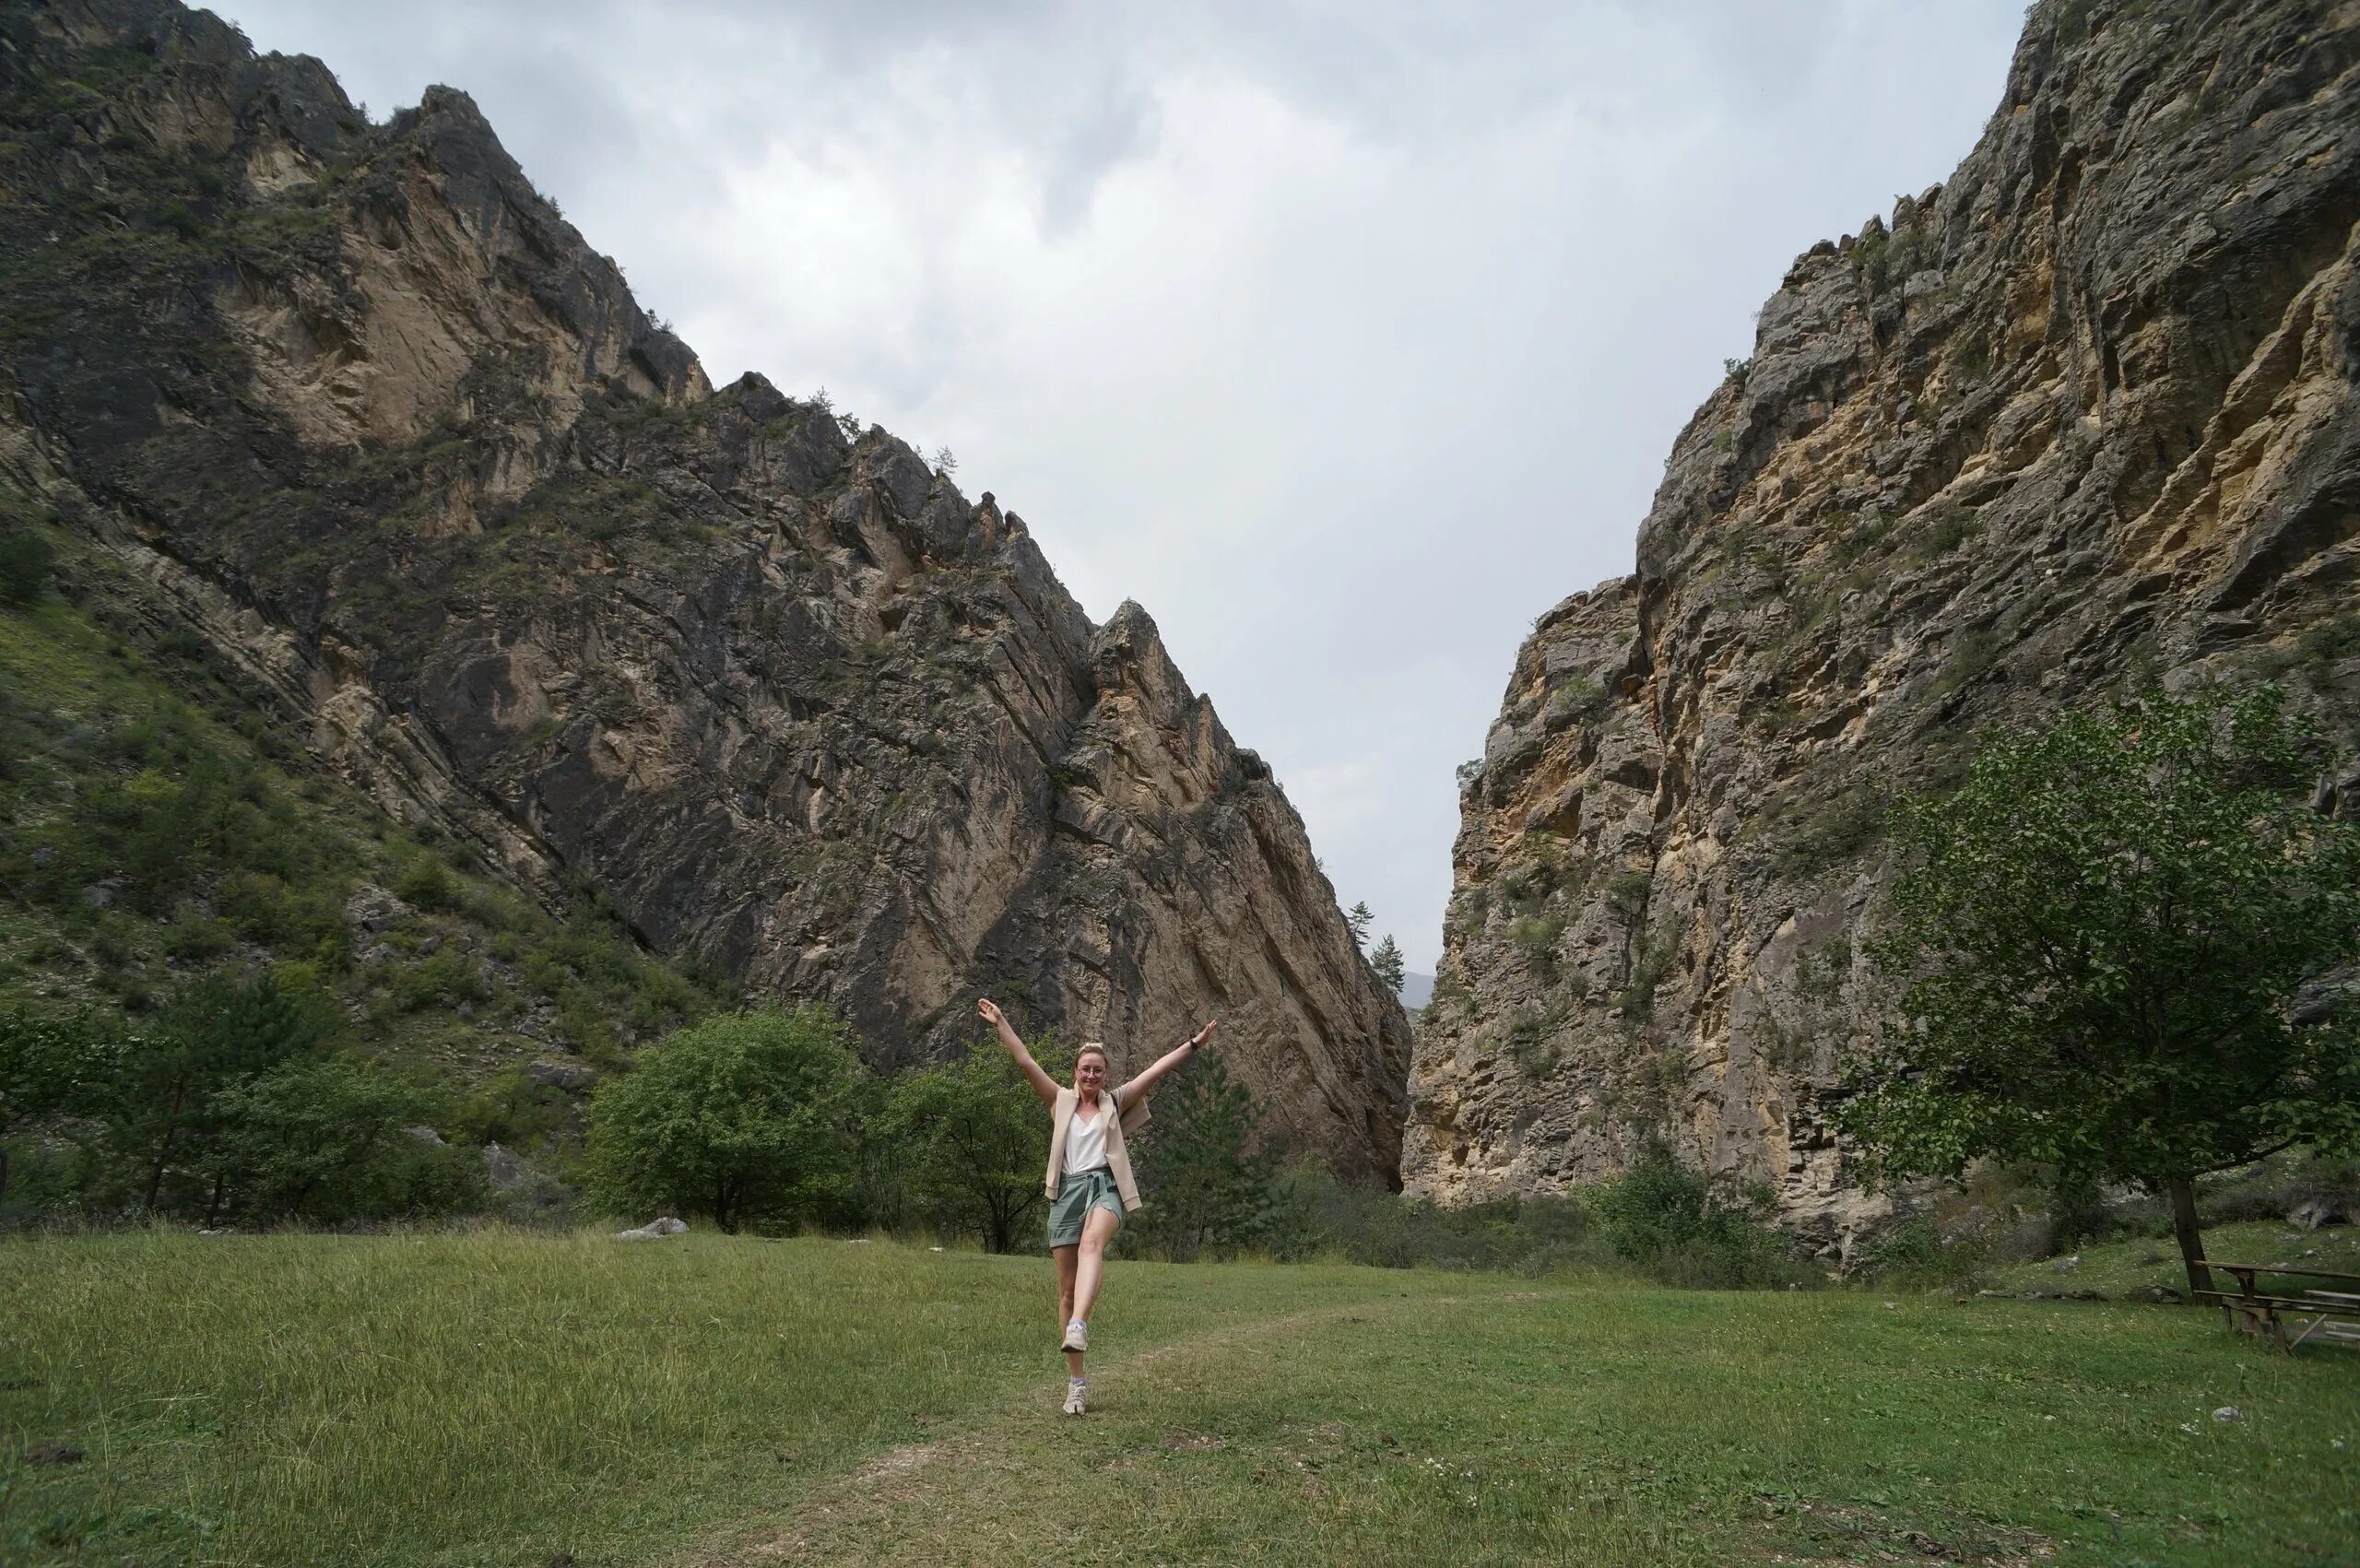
[501, 1397]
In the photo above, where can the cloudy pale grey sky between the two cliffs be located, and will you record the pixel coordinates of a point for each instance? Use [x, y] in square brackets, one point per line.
[1344, 337]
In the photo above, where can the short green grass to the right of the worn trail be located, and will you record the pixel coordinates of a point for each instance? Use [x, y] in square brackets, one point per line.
[1613, 1425]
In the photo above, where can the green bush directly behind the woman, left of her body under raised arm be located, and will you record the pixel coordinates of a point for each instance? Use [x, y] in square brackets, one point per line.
[969, 1139]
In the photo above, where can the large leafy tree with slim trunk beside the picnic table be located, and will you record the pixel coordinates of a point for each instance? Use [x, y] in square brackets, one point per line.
[2116, 946]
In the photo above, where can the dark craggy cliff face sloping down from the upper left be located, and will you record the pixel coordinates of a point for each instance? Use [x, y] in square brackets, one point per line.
[376, 422]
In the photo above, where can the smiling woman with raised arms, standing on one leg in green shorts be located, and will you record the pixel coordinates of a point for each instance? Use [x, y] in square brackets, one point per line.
[1089, 1175]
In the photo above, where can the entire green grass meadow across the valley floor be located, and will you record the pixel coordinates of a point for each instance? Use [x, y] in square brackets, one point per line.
[499, 1399]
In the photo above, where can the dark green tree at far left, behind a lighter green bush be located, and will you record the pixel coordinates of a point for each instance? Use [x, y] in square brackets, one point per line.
[211, 1038]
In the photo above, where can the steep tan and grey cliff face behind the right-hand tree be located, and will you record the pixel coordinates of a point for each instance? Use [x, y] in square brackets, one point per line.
[2083, 414]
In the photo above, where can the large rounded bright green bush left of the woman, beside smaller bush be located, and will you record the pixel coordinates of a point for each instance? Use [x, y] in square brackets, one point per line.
[742, 1118]
